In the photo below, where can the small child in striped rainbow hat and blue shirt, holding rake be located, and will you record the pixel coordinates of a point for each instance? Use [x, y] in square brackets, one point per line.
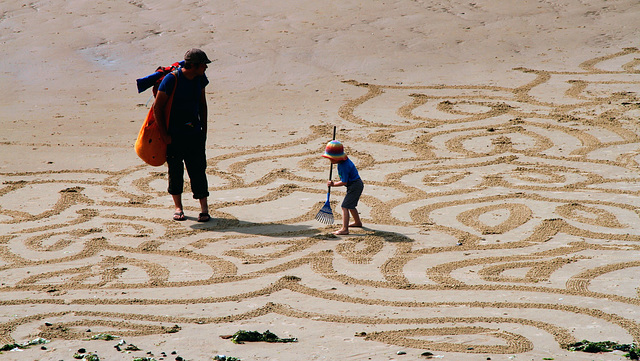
[348, 177]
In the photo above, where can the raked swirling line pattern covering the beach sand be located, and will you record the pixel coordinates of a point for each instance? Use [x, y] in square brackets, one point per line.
[489, 211]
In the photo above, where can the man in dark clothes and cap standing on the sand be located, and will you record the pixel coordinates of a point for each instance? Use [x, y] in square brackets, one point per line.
[187, 132]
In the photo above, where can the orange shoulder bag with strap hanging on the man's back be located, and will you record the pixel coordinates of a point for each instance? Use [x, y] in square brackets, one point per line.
[149, 146]
